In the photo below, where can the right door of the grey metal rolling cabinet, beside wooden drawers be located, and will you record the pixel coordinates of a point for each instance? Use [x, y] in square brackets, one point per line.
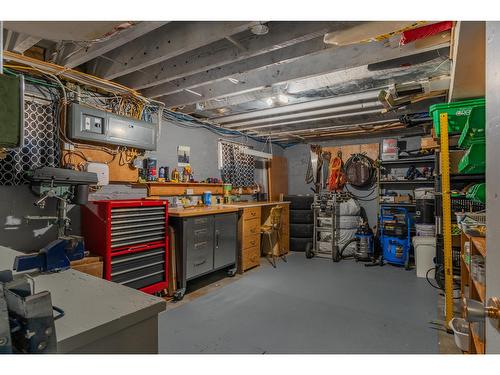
[226, 229]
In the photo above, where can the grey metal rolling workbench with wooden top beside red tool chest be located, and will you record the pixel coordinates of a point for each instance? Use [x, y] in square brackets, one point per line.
[205, 241]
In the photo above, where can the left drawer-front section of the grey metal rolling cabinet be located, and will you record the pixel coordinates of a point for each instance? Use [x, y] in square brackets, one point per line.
[199, 245]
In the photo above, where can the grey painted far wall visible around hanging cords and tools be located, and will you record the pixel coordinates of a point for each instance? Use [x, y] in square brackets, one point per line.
[298, 160]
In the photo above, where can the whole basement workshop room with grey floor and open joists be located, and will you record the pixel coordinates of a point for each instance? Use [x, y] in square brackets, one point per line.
[249, 187]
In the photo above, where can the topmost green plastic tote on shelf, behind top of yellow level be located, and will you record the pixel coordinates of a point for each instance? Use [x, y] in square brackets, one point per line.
[458, 114]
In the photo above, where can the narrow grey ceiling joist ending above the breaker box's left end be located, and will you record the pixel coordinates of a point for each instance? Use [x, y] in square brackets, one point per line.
[82, 55]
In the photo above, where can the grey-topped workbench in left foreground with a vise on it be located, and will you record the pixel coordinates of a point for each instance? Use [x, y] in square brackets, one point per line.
[101, 317]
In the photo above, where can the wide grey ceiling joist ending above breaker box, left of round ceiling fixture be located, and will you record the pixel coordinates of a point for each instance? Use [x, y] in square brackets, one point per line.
[163, 43]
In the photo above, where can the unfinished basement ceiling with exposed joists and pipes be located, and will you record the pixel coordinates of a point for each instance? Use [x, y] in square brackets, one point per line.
[287, 84]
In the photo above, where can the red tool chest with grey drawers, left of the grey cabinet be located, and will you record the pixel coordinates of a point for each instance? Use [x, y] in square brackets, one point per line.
[132, 237]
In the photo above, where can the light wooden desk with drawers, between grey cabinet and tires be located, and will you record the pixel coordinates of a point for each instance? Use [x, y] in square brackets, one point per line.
[252, 216]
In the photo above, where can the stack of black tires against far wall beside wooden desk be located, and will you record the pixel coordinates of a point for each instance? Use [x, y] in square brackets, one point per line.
[301, 222]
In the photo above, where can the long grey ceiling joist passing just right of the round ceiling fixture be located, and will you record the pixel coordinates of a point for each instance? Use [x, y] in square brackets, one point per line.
[281, 34]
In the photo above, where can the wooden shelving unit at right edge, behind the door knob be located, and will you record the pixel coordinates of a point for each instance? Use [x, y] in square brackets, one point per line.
[473, 289]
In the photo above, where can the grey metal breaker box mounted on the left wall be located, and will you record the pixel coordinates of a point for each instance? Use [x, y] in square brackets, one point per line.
[91, 124]
